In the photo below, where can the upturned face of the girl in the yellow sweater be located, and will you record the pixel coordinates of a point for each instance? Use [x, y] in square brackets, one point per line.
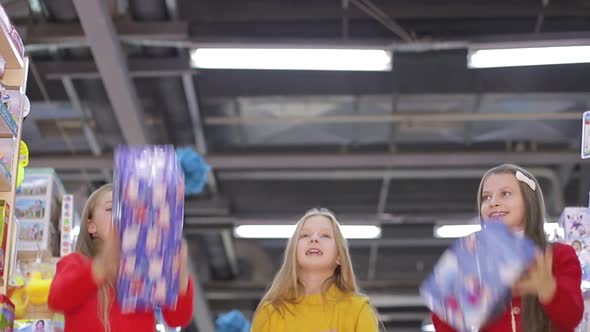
[316, 245]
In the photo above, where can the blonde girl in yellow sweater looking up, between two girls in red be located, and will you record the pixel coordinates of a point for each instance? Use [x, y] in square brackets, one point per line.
[315, 290]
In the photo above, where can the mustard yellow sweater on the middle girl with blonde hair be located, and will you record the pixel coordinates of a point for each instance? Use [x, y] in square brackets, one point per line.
[340, 312]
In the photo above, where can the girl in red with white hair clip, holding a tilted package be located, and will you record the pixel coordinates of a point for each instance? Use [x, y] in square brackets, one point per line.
[548, 297]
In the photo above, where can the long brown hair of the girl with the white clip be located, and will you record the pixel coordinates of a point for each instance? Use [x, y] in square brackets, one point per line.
[533, 315]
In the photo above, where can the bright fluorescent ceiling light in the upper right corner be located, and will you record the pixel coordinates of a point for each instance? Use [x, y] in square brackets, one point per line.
[528, 56]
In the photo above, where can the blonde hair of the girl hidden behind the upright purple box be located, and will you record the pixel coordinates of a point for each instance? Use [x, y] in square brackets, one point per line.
[89, 246]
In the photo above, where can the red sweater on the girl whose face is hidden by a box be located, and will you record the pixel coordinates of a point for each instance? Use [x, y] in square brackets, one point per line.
[75, 293]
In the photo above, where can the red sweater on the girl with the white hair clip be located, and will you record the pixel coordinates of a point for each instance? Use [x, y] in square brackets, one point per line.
[565, 309]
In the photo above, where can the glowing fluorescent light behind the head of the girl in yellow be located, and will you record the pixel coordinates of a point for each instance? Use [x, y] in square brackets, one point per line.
[286, 231]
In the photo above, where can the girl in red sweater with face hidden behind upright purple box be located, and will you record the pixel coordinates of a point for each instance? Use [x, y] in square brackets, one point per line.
[83, 284]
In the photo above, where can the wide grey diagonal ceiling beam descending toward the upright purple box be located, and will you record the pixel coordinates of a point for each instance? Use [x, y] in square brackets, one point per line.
[108, 54]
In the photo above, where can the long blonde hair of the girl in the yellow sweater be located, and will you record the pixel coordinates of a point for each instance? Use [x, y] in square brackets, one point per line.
[288, 288]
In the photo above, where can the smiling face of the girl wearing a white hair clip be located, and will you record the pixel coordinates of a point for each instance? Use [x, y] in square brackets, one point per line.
[501, 198]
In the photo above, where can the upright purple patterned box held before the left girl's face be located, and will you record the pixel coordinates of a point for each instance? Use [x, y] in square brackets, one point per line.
[148, 208]
